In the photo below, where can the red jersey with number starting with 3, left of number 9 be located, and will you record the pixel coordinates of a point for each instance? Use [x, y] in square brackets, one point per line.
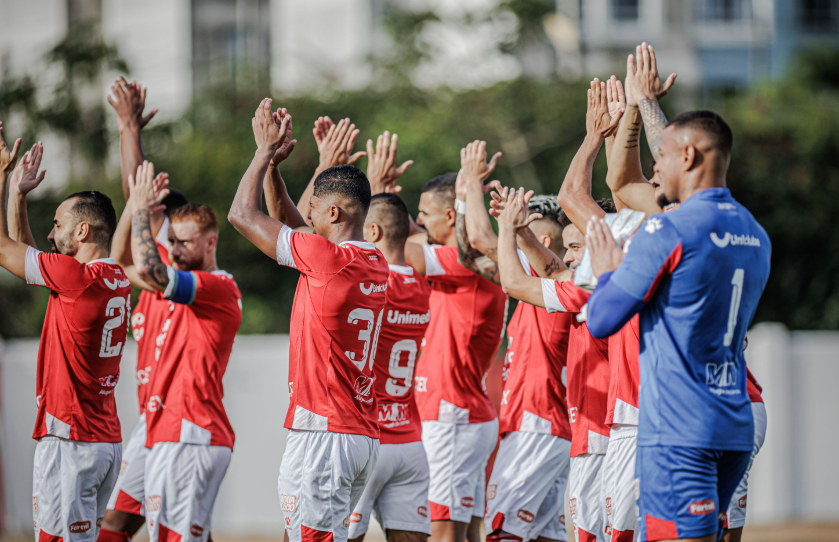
[335, 322]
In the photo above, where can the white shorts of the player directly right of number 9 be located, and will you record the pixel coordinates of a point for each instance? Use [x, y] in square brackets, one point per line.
[457, 459]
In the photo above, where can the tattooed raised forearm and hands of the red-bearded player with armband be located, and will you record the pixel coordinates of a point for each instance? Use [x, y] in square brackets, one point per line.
[146, 194]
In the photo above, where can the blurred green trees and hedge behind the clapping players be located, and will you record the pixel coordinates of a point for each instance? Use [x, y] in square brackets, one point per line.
[784, 169]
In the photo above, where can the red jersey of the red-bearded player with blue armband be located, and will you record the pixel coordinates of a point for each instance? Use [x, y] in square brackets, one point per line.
[192, 348]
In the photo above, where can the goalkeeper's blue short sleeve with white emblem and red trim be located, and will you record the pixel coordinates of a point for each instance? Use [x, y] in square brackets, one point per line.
[654, 253]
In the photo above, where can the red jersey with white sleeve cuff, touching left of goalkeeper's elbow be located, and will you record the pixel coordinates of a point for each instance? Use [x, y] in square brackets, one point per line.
[588, 371]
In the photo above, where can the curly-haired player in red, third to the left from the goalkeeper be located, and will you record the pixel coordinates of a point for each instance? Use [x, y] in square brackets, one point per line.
[526, 491]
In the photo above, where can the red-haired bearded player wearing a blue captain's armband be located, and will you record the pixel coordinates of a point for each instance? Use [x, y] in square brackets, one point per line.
[189, 437]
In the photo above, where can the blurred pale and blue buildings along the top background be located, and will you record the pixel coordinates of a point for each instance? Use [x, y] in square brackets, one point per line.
[178, 47]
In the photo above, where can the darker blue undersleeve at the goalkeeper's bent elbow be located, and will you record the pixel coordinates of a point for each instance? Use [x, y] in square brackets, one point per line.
[610, 307]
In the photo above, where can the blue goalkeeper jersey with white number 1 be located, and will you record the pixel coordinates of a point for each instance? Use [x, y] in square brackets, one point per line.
[695, 275]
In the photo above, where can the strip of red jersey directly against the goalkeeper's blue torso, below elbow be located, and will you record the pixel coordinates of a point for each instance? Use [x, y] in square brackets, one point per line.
[624, 347]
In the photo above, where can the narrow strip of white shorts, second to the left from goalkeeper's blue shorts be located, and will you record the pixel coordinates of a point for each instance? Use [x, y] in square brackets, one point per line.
[585, 505]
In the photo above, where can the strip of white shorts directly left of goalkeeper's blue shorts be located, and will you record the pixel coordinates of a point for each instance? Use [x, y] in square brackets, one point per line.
[619, 484]
